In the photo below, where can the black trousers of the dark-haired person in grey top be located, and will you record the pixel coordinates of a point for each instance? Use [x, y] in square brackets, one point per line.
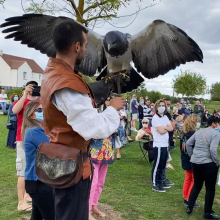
[204, 173]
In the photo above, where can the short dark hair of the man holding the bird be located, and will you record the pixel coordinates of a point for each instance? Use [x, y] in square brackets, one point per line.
[67, 33]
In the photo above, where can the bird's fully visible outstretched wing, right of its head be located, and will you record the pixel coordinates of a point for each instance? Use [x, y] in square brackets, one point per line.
[161, 47]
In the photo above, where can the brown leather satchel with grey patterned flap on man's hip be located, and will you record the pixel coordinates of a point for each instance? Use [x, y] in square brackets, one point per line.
[58, 165]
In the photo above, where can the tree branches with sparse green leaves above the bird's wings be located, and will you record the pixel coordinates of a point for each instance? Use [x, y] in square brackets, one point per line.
[86, 12]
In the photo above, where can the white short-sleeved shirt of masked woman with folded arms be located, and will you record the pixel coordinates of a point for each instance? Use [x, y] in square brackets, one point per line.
[160, 140]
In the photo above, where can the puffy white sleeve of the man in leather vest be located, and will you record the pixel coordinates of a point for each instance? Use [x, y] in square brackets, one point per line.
[82, 117]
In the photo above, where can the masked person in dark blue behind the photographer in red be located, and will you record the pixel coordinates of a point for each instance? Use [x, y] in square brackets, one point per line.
[11, 140]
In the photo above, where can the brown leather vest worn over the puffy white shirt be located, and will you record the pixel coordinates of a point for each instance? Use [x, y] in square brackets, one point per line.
[59, 75]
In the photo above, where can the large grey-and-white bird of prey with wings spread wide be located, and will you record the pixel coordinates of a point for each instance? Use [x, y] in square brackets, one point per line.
[154, 51]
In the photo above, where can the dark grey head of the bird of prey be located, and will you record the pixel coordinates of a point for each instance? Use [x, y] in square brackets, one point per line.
[115, 43]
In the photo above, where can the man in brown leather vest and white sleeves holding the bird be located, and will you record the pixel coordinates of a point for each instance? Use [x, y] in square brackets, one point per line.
[69, 114]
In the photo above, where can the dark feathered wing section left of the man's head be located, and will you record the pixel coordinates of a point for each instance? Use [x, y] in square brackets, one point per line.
[34, 30]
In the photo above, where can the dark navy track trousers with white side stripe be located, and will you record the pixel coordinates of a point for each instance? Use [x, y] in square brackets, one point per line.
[159, 167]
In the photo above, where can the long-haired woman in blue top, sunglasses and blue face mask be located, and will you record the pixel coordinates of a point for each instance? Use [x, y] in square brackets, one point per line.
[33, 135]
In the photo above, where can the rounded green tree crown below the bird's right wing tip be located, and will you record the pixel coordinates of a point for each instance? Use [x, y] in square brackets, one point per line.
[189, 83]
